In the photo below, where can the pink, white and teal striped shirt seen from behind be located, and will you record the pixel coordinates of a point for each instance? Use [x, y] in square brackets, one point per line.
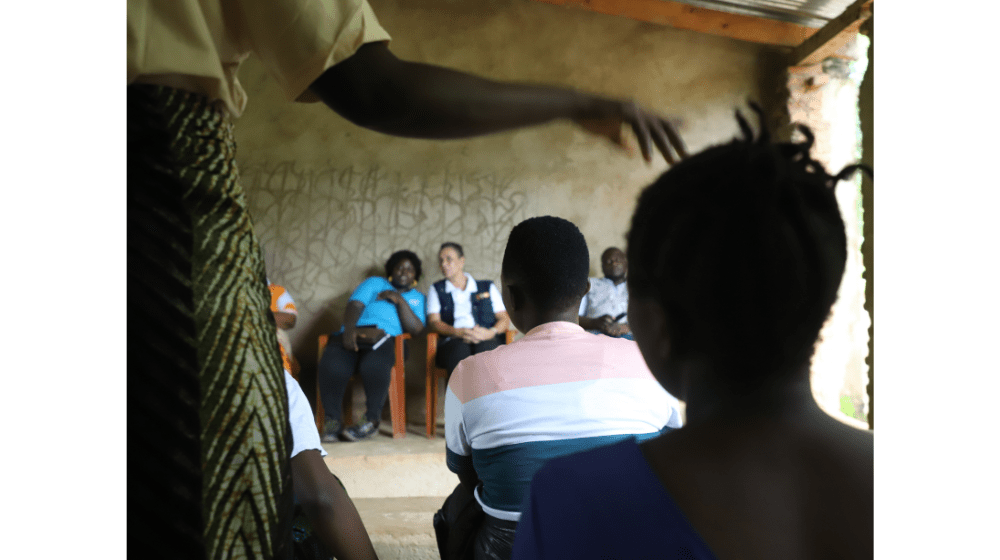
[556, 391]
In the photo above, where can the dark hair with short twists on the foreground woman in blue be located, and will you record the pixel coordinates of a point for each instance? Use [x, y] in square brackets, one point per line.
[743, 246]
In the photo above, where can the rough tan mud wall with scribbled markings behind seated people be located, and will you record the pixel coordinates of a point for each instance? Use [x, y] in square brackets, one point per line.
[332, 201]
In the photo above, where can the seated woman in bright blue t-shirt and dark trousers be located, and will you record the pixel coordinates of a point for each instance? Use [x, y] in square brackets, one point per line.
[378, 310]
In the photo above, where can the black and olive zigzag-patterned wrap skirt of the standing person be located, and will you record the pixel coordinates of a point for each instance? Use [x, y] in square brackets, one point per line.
[208, 431]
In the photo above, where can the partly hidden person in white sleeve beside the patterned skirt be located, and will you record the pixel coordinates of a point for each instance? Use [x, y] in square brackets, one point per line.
[324, 512]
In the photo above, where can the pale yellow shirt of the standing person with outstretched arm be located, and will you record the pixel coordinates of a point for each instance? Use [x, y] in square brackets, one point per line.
[198, 45]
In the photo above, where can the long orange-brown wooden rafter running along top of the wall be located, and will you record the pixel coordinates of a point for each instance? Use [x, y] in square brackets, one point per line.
[683, 16]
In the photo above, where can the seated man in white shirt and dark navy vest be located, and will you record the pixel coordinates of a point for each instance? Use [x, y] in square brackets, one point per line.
[467, 313]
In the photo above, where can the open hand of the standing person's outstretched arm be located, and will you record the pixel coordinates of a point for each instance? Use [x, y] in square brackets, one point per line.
[606, 117]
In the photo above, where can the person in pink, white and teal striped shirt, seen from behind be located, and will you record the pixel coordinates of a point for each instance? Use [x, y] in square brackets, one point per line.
[557, 390]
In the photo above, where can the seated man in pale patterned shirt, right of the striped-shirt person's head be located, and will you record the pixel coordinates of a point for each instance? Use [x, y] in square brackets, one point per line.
[605, 307]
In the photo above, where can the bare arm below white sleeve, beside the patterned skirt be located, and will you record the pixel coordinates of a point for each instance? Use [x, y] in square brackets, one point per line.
[329, 509]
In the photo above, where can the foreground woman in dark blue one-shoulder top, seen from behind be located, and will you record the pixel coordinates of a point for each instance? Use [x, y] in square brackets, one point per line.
[735, 257]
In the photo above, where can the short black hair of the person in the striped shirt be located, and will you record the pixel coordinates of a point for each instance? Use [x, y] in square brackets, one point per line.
[549, 255]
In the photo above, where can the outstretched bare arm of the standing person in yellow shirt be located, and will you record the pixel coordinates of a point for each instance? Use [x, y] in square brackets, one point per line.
[376, 90]
